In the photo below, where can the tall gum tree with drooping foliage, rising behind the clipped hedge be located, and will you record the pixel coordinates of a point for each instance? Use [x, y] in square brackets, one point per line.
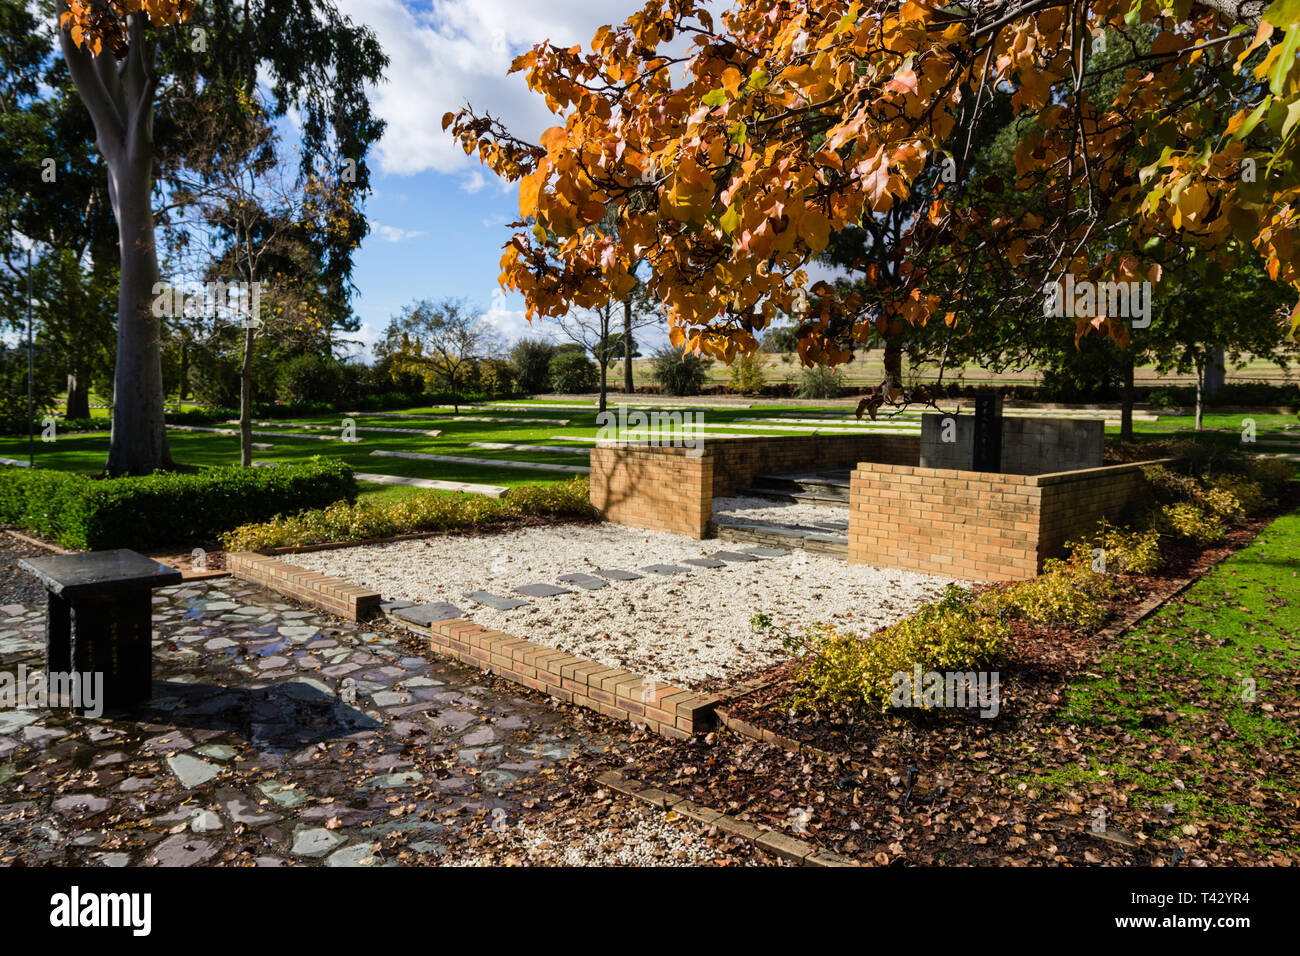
[119, 55]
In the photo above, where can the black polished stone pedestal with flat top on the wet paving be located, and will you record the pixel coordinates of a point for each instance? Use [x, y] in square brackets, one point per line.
[99, 618]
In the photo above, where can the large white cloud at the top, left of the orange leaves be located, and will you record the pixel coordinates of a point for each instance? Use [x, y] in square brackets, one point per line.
[460, 51]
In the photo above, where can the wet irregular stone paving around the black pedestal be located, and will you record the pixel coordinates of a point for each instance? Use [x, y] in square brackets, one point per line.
[276, 737]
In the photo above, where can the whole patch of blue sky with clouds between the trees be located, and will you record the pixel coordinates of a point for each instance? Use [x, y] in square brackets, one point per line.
[437, 218]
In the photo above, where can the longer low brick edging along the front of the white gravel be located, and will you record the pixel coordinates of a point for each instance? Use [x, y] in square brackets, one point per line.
[621, 695]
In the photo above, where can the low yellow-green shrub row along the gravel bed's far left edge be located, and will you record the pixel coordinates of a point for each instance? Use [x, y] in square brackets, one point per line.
[345, 522]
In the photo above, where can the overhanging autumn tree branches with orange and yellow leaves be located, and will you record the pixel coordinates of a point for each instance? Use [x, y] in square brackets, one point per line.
[733, 149]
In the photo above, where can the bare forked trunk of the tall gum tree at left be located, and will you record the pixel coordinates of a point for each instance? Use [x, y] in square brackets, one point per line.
[120, 100]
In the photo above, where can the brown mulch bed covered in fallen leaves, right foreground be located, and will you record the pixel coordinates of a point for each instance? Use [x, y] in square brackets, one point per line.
[926, 791]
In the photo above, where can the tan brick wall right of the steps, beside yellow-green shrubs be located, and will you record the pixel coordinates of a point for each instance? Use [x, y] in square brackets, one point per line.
[978, 526]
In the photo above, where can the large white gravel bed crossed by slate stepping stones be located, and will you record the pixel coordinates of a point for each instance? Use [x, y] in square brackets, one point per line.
[687, 630]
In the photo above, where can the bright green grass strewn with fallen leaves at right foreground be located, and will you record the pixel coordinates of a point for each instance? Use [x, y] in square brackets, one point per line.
[1189, 664]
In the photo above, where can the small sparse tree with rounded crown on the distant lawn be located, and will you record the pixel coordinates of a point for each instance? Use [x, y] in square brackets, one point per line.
[440, 340]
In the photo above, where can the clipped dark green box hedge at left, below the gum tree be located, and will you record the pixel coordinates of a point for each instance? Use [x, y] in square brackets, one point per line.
[167, 508]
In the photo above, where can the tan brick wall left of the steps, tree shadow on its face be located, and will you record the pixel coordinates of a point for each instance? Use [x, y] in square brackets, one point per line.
[673, 490]
